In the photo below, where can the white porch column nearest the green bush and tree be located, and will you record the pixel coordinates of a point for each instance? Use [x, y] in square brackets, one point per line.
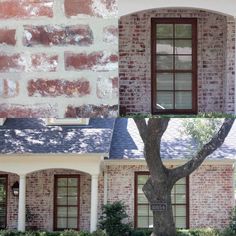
[94, 203]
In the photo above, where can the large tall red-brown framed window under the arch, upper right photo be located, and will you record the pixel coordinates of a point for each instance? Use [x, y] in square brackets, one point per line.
[174, 66]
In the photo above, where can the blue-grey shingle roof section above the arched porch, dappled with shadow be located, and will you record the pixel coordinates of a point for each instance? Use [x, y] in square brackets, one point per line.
[34, 136]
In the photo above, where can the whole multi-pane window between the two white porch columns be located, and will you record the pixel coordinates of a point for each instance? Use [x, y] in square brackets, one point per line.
[66, 202]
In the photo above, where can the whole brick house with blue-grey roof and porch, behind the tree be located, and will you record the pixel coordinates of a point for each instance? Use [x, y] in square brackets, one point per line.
[60, 175]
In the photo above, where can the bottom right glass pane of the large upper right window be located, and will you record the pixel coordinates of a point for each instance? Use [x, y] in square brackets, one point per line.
[183, 100]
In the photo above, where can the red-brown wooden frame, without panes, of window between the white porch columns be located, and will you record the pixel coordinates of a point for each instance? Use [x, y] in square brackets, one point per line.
[56, 177]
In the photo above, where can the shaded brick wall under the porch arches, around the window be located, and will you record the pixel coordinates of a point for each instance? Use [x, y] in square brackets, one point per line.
[39, 199]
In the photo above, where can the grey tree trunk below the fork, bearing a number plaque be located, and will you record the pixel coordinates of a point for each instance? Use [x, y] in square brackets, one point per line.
[159, 196]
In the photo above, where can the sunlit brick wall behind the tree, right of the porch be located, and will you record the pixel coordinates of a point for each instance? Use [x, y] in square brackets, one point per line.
[211, 193]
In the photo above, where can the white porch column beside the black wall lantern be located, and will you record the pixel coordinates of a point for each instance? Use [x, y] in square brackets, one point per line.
[21, 207]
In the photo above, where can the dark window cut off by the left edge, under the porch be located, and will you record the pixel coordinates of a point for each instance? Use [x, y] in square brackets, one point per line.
[3, 201]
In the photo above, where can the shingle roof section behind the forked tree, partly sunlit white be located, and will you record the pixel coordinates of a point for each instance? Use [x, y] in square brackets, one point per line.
[175, 144]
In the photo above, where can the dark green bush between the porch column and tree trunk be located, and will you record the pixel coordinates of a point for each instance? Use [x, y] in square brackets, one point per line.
[112, 219]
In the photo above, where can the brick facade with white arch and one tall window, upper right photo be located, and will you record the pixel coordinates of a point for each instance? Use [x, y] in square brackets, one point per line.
[177, 57]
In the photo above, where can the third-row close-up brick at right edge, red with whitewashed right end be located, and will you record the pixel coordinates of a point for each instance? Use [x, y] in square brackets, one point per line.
[97, 61]
